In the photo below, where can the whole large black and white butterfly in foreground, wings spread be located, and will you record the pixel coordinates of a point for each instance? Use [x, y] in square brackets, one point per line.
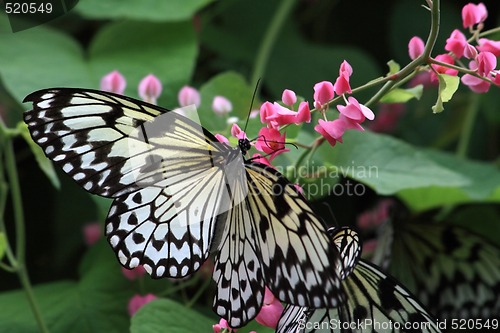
[180, 195]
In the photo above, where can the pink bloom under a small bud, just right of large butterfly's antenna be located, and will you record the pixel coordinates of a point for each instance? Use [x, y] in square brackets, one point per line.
[280, 115]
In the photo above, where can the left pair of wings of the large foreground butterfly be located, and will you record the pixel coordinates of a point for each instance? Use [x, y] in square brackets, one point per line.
[166, 173]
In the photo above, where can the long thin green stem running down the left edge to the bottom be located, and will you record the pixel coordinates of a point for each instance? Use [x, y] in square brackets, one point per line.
[19, 260]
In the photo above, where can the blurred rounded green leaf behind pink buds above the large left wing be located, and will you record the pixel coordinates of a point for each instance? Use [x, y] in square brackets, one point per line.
[167, 50]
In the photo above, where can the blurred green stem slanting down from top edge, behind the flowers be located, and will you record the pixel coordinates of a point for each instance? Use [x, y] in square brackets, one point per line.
[269, 39]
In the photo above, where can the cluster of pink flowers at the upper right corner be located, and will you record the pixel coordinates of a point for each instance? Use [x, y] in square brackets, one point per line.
[482, 57]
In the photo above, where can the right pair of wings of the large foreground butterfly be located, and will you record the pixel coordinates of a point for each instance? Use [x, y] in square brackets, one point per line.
[282, 245]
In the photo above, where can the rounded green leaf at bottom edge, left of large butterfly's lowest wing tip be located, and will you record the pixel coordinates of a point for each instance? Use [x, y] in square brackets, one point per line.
[164, 313]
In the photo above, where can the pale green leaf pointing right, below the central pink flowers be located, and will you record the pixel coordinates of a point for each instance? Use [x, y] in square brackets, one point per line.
[386, 164]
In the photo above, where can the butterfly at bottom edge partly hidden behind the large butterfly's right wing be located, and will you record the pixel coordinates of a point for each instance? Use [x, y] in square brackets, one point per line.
[375, 302]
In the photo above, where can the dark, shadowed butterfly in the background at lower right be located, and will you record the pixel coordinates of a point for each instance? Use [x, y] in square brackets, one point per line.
[454, 272]
